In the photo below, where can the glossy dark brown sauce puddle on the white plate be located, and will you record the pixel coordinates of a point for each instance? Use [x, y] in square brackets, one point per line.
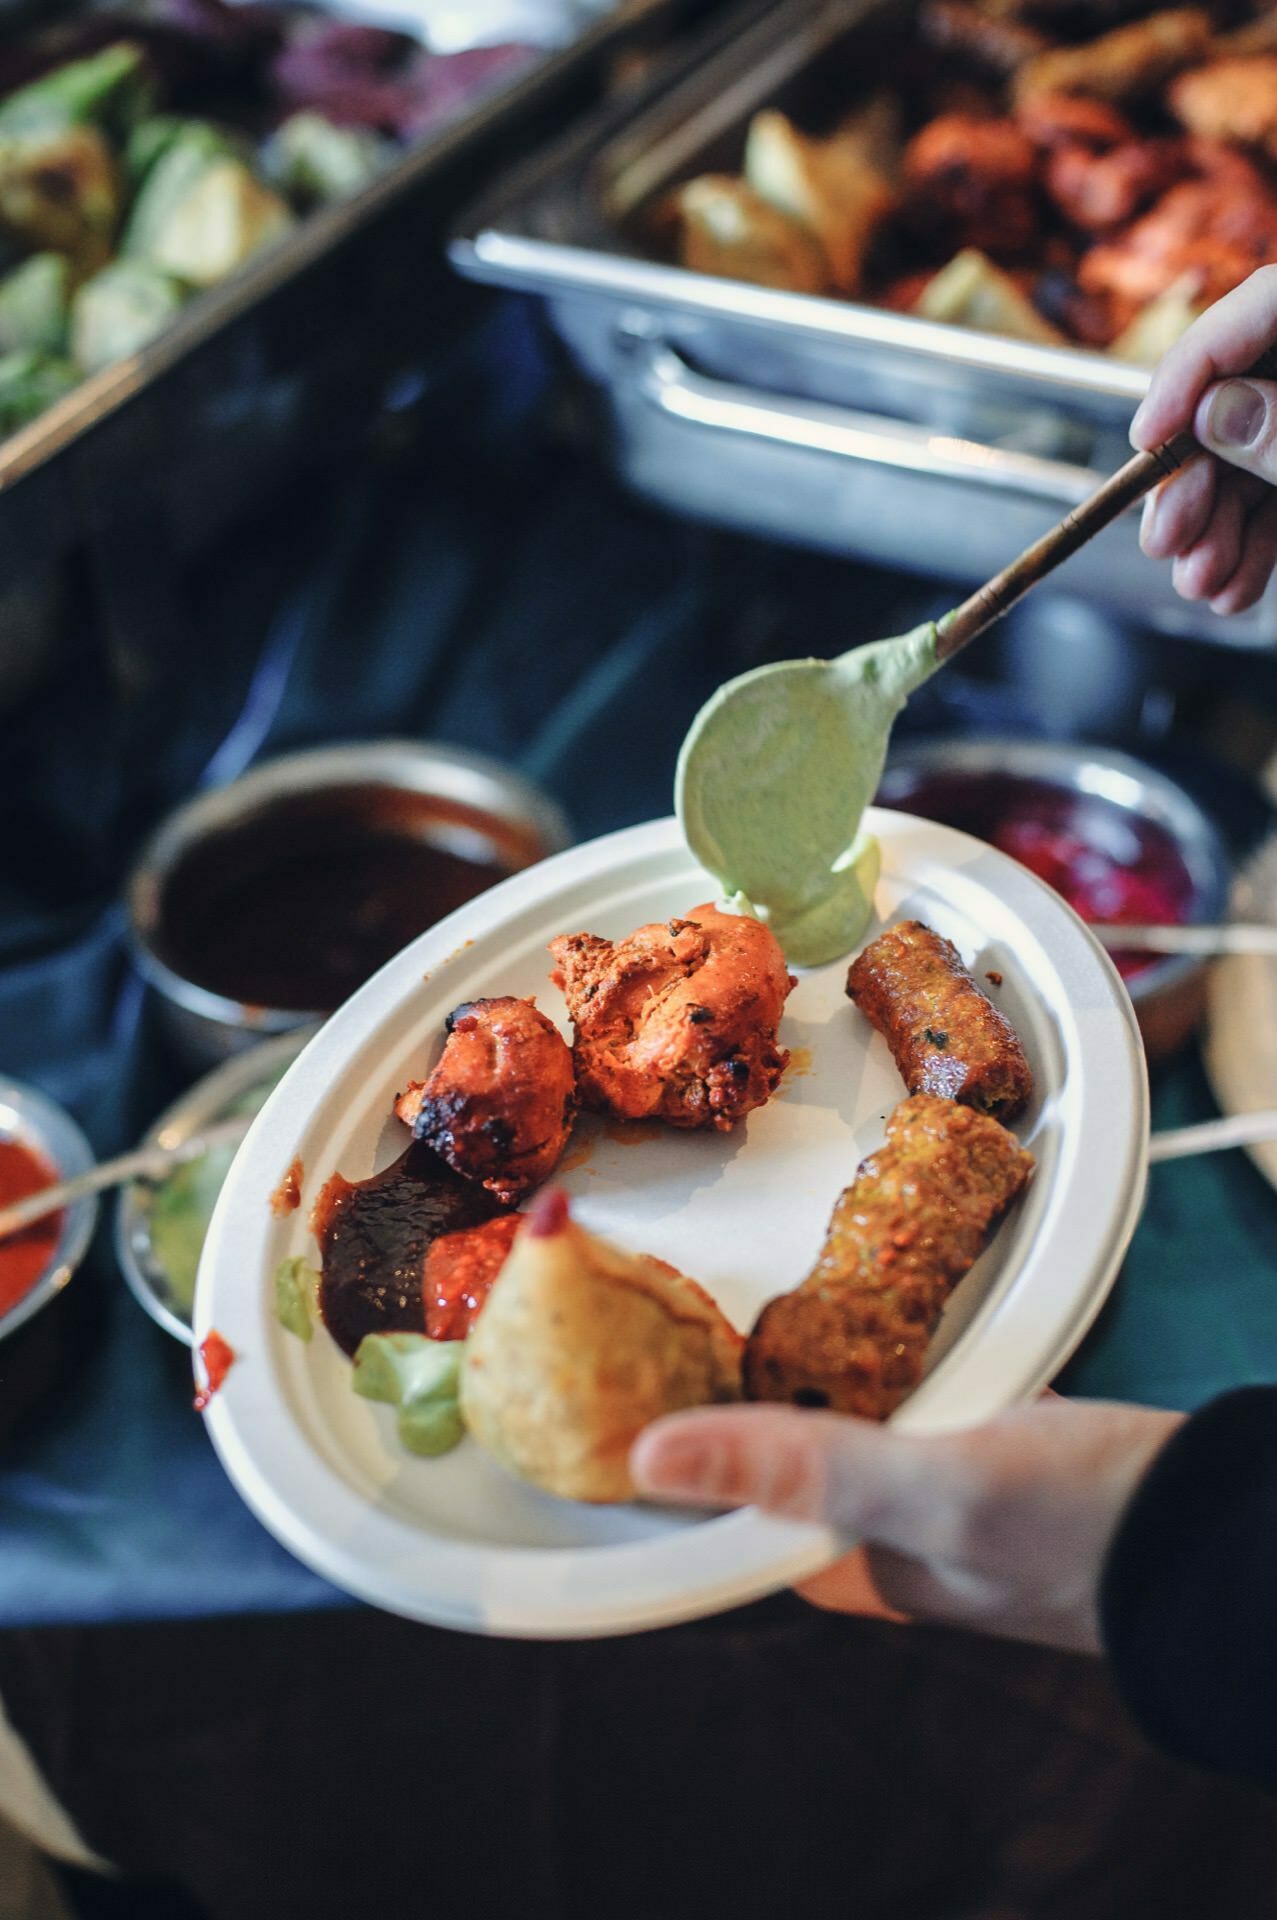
[375, 1237]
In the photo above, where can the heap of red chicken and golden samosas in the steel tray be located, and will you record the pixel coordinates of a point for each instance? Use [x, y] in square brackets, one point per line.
[1055, 174]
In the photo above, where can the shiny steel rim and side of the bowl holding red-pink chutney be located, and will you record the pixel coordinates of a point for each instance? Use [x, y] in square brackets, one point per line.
[965, 779]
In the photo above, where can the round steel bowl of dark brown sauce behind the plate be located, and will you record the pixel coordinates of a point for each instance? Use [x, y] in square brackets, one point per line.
[262, 905]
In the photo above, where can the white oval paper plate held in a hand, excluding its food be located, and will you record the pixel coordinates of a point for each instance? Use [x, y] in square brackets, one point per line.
[456, 1541]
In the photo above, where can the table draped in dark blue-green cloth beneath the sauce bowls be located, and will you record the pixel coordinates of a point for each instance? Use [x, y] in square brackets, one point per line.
[229, 1729]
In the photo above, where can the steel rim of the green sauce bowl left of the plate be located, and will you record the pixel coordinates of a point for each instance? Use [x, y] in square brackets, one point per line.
[222, 1093]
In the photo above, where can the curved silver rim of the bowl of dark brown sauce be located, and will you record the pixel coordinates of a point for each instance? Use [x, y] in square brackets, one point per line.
[471, 779]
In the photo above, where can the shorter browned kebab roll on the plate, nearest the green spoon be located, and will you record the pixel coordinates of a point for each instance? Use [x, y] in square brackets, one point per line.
[946, 1036]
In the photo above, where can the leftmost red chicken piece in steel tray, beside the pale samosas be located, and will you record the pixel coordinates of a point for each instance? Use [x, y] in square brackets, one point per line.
[973, 183]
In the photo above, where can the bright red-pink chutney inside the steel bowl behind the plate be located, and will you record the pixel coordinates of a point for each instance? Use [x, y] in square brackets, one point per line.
[1111, 865]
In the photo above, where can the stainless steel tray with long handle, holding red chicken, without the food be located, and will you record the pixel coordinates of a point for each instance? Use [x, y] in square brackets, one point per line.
[811, 420]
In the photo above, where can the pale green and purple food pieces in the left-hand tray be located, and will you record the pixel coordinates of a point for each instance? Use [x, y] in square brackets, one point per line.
[149, 153]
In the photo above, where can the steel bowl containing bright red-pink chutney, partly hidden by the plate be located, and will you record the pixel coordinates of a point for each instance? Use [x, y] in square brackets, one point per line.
[1111, 834]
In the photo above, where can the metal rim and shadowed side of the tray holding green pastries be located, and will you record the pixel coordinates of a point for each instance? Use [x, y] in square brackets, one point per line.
[289, 360]
